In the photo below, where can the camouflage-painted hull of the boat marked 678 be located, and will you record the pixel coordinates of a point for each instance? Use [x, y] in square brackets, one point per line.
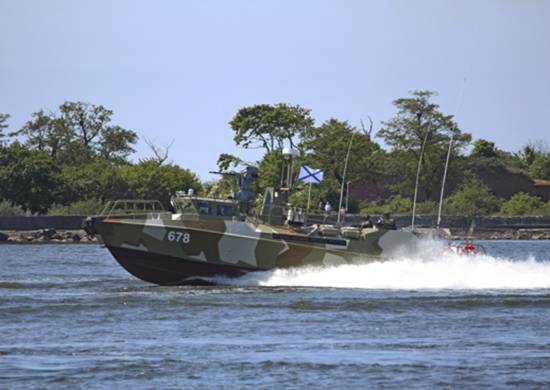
[169, 252]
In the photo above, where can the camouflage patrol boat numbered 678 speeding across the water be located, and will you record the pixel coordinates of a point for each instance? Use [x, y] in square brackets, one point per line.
[205, 237]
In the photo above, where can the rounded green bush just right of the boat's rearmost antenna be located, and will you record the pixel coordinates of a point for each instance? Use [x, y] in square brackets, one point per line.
[473, 199]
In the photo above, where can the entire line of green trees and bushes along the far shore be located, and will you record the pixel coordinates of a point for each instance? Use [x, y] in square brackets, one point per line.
[73, 160]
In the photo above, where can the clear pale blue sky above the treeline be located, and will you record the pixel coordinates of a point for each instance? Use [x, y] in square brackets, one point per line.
[180, 70]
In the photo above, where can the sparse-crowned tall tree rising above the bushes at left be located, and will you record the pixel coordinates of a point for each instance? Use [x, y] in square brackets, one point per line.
[79, 133]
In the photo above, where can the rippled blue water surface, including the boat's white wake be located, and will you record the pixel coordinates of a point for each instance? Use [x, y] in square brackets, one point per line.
[71, 317]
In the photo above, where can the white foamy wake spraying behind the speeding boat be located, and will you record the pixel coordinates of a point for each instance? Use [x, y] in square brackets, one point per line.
[430, 268]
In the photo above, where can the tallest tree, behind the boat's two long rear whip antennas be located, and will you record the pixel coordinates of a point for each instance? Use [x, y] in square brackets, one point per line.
[419, 121]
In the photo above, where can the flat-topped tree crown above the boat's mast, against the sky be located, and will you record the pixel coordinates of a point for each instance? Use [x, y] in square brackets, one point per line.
[269, 126]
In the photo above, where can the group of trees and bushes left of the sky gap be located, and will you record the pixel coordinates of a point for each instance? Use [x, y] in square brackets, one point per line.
[73, 160]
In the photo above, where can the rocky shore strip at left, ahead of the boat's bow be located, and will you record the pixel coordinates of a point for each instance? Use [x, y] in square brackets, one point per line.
[44, 236]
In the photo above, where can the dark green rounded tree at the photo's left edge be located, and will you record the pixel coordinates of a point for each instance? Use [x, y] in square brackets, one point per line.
[29, 177]
